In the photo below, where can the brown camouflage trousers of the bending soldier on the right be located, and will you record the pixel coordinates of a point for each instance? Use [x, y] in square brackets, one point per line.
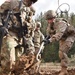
[64, 47]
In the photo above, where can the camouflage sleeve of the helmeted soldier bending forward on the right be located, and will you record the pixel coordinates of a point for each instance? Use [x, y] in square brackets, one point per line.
[61, 28]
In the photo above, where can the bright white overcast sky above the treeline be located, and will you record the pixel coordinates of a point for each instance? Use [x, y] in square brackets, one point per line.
[44, 5]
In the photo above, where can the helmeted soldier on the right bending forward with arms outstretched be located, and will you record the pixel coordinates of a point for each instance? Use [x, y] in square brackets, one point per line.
[60, 30]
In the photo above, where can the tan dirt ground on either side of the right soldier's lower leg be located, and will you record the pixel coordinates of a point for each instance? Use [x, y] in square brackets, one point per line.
[54, 69]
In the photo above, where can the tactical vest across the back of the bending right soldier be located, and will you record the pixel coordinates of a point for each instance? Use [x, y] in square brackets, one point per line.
[70, 30]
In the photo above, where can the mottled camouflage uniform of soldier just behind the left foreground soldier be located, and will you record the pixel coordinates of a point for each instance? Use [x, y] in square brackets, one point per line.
[27, 20]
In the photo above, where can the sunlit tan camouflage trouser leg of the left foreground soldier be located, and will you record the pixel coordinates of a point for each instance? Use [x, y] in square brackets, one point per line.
[8, 53]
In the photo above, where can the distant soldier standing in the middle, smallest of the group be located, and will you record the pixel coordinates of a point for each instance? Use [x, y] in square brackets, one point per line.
[38, 37]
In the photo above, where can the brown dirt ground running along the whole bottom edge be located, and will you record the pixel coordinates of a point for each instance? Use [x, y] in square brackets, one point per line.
[47, 69]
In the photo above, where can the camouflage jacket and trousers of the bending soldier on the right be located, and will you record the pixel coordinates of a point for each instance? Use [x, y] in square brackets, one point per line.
[65, 42]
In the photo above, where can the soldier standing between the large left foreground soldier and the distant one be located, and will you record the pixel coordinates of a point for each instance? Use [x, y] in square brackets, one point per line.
[30, 27]
